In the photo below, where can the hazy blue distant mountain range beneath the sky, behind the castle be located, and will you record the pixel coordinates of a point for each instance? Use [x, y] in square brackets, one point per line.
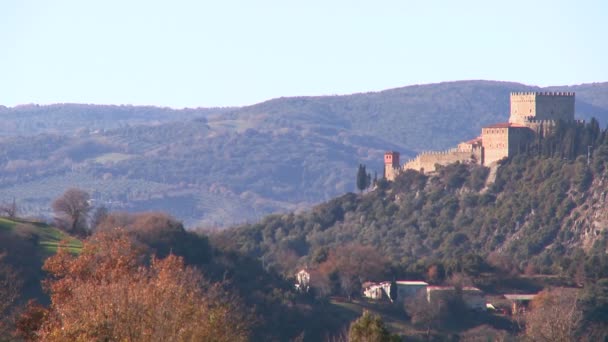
[229, 165]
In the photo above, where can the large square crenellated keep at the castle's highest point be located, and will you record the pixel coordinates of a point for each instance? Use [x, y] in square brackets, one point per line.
[541, 106]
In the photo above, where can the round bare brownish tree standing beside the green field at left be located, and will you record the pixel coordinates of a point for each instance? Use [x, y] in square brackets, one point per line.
[71, 210]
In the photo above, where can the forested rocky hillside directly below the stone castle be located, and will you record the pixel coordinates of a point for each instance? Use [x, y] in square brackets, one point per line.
[546, 212]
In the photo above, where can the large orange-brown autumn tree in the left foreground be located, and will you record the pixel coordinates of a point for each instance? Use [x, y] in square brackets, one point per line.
[109, 292]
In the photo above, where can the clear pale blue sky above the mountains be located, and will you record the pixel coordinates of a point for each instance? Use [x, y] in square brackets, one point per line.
[222, 53]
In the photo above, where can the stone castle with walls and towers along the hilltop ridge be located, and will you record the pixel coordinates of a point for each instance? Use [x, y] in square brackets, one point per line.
[531, 113]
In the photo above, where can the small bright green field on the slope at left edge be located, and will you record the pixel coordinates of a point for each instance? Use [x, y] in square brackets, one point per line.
[48, 238]
